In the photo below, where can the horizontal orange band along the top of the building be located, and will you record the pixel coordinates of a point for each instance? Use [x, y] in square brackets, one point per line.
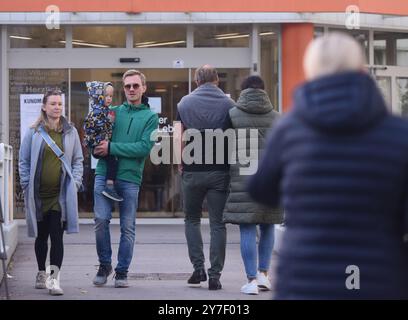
[399, 7]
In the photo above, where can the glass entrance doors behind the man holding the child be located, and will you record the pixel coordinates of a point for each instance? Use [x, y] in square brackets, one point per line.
[160, 193]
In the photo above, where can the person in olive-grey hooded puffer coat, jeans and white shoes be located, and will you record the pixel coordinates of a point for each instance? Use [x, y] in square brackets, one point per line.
[253, 111]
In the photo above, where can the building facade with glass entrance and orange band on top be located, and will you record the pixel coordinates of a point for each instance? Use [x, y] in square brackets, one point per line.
[167, 40]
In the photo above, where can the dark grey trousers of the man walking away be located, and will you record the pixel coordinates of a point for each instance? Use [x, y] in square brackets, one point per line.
[196, 186]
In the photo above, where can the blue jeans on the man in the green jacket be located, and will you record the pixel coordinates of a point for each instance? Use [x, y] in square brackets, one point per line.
[127, 213]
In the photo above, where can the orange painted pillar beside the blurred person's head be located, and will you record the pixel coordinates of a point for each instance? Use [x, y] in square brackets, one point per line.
[295, 38]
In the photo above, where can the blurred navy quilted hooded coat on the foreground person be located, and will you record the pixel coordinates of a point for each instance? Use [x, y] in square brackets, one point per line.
[338, 164]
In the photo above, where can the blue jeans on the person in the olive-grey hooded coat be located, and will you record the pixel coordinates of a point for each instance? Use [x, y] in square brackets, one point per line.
[249, 248]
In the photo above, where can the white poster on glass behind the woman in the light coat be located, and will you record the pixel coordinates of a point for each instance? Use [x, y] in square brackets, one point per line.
[30, 107]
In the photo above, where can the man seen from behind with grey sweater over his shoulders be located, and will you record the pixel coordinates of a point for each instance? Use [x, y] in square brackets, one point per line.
[205, 108]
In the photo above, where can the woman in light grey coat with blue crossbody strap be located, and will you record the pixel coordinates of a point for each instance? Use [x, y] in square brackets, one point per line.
[50, 192]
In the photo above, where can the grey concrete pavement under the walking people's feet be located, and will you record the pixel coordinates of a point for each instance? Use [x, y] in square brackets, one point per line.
[159, 269]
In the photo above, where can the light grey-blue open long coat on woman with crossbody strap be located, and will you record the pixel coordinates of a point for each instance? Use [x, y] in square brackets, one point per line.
[31, 151]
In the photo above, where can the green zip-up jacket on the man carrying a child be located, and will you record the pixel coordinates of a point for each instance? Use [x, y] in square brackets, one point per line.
[131, 142]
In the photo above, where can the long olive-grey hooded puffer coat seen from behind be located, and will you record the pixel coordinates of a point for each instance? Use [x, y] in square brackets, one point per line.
[253, 111]
